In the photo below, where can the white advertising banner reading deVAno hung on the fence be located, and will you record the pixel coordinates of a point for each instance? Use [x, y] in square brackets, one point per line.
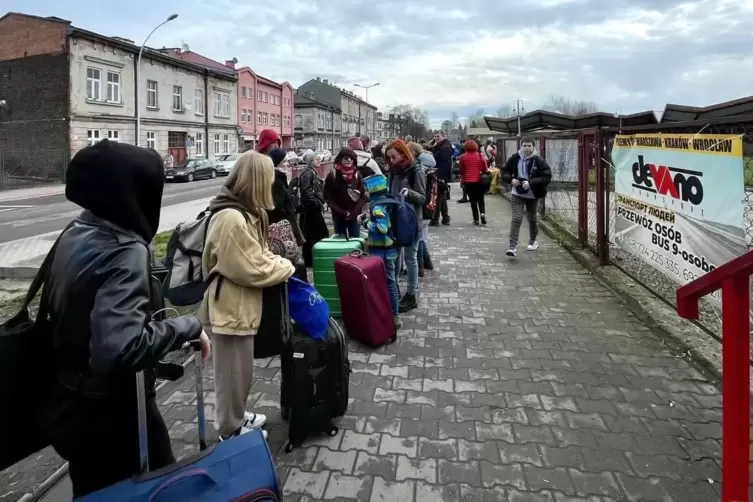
[680, 201]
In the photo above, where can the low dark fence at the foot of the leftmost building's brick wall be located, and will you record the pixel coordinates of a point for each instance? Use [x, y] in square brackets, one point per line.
[32, 167]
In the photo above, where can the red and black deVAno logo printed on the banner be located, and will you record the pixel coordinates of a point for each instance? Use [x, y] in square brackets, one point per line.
[679, 184]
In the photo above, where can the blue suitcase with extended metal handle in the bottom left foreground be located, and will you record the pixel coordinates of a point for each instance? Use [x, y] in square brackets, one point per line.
[239, 469]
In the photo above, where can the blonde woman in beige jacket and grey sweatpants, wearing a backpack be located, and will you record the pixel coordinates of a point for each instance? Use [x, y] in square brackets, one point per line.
[237, 259]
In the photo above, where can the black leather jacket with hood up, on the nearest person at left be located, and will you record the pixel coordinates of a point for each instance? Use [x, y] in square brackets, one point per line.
[98, 288]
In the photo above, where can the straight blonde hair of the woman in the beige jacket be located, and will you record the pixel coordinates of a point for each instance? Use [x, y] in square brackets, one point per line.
[251, 182]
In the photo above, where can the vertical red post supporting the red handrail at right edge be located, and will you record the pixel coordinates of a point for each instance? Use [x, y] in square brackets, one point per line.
[735, 392]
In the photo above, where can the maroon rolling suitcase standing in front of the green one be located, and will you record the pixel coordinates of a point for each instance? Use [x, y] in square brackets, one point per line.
[364, 300]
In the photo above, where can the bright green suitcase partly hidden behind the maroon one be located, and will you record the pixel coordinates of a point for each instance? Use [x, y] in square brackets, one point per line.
[324, 254]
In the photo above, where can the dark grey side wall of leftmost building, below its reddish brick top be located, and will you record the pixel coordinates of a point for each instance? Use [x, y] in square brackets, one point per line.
[34, 132]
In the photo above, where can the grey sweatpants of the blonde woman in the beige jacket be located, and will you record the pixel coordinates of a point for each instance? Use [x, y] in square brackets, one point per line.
[233, 376]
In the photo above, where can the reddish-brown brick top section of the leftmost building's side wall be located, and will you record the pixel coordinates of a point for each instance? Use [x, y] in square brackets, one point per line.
[24, 36]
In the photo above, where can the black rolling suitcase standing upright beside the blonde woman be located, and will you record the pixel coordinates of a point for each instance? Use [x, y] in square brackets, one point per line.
[315, 378]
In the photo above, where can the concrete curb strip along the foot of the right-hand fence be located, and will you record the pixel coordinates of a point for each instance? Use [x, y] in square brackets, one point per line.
[681, 336]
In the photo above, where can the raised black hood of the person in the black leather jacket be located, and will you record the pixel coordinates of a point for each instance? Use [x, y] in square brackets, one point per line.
[119, 183]
